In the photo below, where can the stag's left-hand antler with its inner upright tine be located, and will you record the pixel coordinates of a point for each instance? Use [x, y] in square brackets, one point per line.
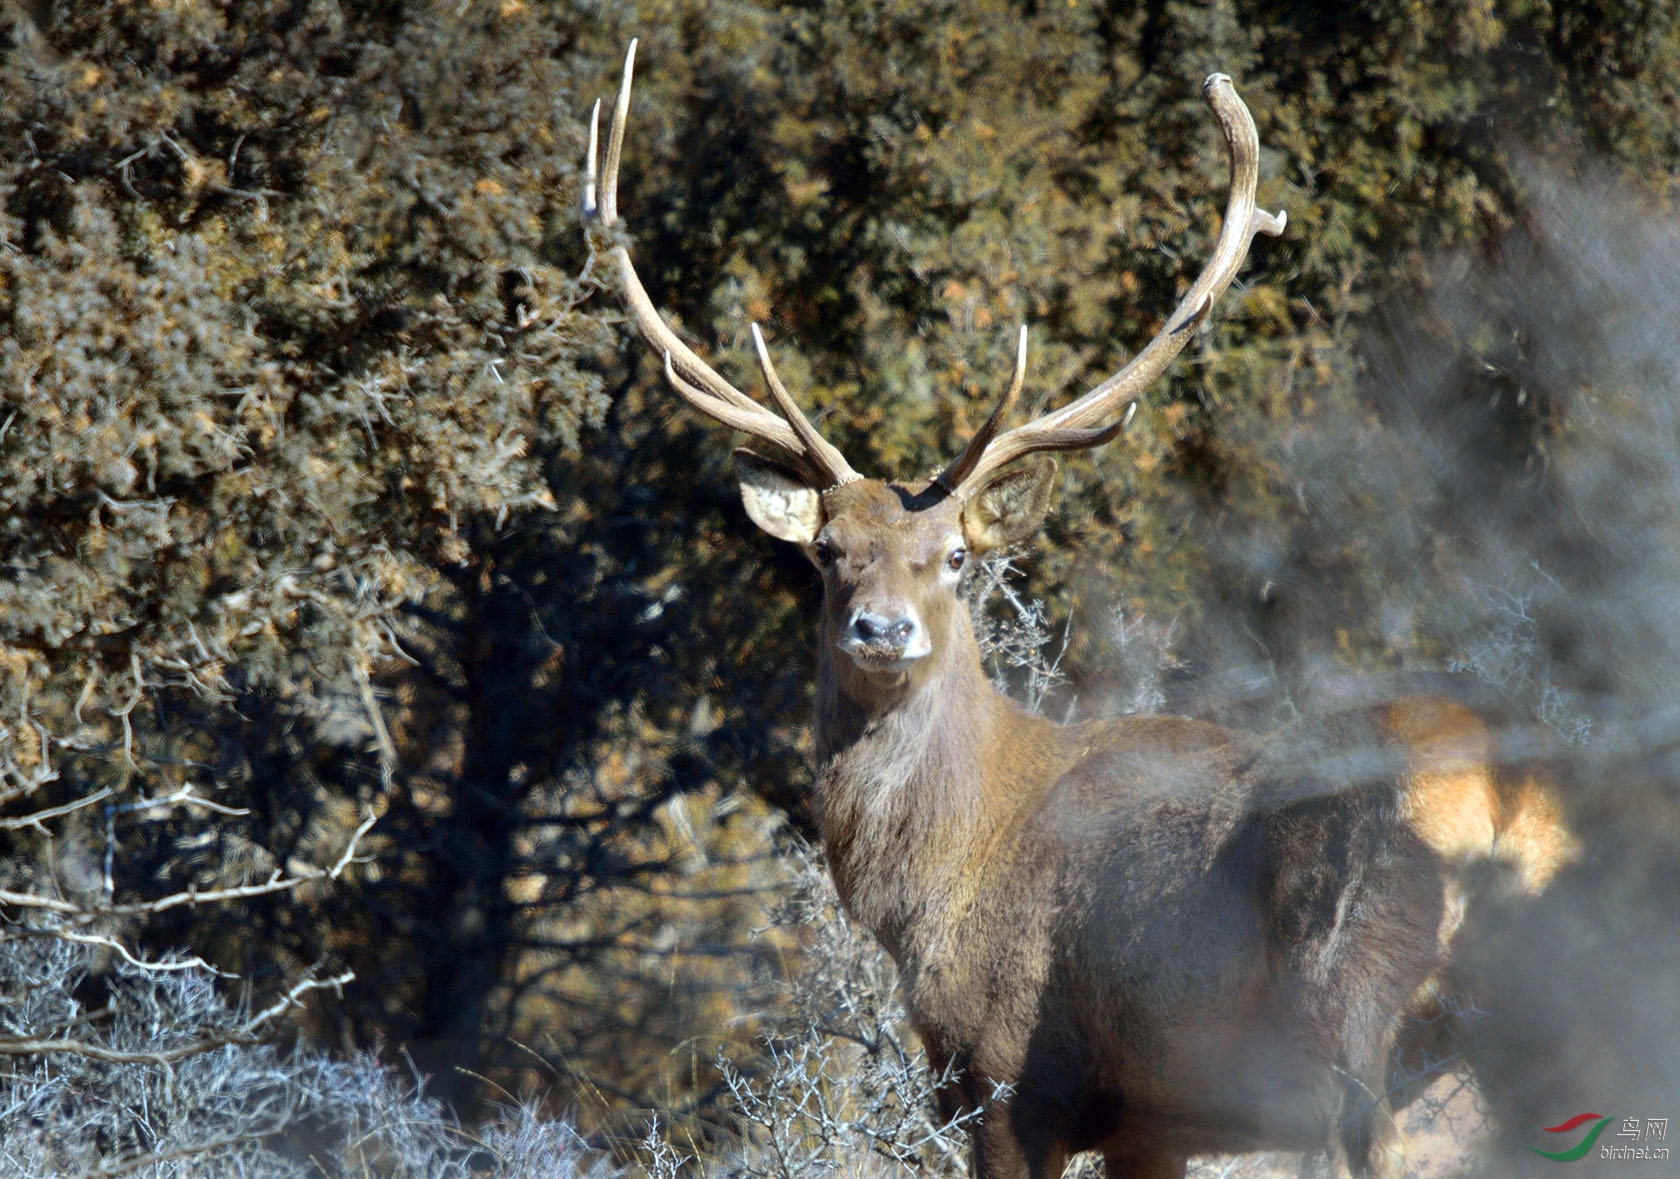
[695, 380]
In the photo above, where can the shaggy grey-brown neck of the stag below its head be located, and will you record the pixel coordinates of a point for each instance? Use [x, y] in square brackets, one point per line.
[920, 778]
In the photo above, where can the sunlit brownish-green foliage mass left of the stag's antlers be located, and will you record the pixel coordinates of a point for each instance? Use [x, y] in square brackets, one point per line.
[268, 340]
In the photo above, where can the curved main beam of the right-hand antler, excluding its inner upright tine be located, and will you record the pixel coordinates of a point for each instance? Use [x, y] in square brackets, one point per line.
[1064, 429]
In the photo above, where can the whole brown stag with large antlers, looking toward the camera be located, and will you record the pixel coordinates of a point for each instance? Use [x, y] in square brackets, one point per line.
[1145, 936]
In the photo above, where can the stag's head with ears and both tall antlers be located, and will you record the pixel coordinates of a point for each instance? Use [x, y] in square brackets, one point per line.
[891, 553]
